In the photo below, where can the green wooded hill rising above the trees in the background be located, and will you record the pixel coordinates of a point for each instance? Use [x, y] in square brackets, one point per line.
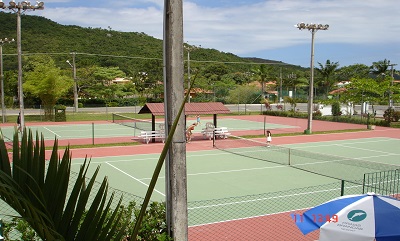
[103, 47]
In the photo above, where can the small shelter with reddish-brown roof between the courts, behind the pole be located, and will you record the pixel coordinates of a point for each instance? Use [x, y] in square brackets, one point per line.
[207, 108]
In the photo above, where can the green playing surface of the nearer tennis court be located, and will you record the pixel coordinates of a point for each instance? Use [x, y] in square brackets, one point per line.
[222, 180]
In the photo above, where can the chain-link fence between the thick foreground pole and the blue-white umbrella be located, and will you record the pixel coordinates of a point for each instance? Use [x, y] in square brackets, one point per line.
[268, 216]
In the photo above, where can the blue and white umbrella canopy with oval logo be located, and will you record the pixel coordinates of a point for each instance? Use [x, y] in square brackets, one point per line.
[366, 217]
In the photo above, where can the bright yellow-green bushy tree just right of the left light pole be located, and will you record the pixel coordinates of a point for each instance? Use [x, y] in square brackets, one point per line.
[45, 81]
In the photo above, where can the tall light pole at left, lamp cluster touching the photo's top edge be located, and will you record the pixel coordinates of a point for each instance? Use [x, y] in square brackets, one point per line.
[19, 8]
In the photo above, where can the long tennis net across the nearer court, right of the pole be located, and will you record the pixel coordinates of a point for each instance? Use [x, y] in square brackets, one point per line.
[342, 168]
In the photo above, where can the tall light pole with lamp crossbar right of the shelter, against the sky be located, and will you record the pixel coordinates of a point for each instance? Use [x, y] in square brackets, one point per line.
[312, 28]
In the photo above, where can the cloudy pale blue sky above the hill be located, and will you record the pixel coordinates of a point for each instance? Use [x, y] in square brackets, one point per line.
[360, 31]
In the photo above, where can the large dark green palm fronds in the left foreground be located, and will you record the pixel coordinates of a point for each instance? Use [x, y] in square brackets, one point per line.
[38, 190]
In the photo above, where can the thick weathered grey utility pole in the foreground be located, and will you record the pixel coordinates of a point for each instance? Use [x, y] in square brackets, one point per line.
[175, 165]
